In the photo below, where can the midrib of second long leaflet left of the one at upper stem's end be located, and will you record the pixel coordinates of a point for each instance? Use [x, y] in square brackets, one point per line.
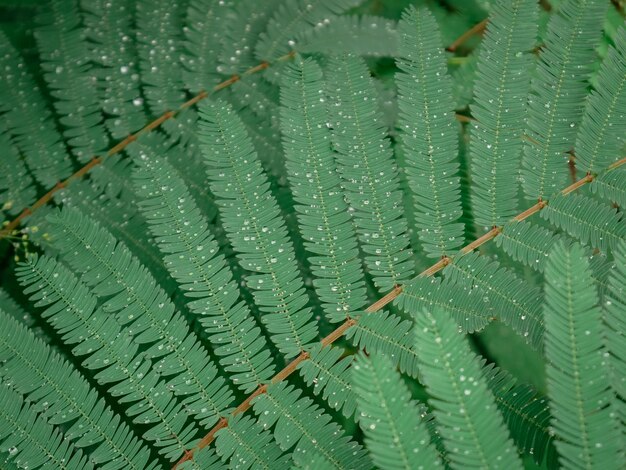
[182, 234]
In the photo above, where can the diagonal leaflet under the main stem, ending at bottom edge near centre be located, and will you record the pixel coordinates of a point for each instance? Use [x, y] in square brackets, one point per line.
[300, 423]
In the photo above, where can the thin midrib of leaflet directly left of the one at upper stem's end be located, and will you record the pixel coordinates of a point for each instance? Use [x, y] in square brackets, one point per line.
[279, 290]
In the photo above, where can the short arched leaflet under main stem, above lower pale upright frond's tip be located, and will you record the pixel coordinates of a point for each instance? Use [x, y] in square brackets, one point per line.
[466, 305]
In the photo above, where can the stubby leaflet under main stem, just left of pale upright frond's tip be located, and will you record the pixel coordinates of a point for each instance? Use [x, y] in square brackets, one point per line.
[329, 374]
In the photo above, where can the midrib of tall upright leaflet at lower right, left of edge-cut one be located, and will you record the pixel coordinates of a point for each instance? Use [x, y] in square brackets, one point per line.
[569, 292]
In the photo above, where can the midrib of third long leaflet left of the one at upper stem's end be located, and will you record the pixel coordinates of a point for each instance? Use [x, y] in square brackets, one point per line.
[173, 348]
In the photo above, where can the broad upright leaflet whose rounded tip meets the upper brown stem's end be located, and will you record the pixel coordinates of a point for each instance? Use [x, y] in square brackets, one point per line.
[322, 212]
